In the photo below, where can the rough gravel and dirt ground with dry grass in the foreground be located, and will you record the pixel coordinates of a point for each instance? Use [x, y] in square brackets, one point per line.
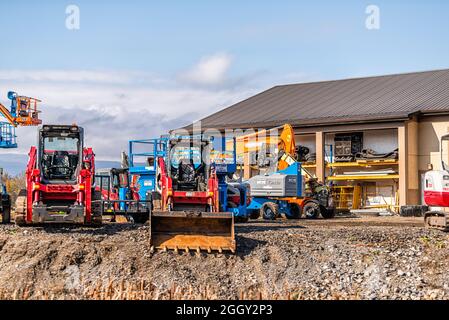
[343, 258]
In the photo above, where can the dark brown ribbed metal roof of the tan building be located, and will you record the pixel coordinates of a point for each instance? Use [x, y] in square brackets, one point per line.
[377, 98]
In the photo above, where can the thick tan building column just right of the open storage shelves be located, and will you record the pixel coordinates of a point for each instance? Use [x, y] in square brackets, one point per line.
[409, 179]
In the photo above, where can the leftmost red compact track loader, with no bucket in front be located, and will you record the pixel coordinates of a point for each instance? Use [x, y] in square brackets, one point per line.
[59, 180]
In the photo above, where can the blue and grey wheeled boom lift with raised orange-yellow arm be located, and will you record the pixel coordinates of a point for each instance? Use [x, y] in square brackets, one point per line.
[285, 191]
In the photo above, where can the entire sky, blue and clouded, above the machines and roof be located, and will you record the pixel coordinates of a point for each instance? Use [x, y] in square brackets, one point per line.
[143, 67]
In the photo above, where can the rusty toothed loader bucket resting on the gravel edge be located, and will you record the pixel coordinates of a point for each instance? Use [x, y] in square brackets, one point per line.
[192, 231]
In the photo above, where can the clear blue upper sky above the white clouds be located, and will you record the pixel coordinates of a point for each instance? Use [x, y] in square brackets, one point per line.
[320, 37]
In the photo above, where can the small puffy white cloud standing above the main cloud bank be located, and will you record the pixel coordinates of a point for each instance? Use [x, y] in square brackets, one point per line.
[211, 70]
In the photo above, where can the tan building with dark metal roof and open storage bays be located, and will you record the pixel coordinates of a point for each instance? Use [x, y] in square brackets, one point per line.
[408, 112]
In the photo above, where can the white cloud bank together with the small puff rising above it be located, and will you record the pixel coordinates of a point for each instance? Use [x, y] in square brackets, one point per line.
[117, 106]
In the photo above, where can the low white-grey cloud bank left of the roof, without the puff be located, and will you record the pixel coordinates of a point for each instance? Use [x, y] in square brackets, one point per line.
[111, 115]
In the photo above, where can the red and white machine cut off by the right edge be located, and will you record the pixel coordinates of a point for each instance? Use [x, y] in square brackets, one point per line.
[436, 193]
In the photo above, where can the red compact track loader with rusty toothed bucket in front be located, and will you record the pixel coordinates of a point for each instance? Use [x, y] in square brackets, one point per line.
[188, 215]
